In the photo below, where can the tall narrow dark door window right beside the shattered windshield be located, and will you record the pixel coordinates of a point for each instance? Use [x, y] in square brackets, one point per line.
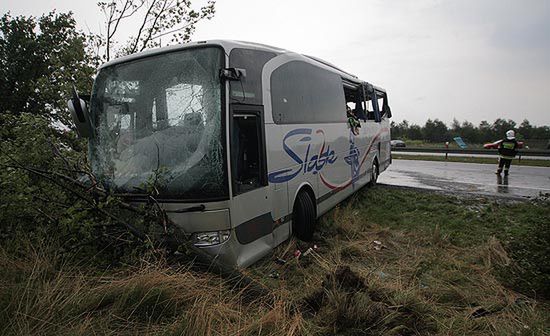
[246, 152]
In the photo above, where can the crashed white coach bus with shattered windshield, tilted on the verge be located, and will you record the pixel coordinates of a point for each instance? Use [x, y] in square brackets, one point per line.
[242, 144]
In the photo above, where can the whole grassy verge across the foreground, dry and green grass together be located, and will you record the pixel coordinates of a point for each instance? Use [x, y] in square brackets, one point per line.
[388, 262]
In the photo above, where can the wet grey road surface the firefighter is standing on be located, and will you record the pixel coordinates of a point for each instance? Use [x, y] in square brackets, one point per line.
[468, 177]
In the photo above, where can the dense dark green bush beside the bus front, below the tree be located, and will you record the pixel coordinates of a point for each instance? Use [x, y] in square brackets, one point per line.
[42, 199]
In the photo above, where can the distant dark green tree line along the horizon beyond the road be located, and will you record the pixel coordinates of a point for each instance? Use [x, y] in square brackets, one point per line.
[437, 131]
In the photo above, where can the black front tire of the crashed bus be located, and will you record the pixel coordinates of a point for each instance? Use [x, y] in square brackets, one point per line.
[303, 217]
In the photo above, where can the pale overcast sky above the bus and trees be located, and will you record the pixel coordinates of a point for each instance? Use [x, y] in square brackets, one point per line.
[469, 60]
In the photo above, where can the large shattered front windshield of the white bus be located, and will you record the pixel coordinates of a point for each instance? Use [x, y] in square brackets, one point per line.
[158, 125]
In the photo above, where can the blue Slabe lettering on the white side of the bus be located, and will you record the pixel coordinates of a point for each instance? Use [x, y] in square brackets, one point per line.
[305, 163]
